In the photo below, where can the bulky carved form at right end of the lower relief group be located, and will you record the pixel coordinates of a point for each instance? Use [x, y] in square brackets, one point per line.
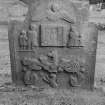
[75, 69]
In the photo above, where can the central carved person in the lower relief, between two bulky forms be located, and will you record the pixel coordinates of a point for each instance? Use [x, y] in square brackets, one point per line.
[51, 67]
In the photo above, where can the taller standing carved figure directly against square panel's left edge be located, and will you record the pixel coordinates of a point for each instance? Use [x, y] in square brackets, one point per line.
[33, 34]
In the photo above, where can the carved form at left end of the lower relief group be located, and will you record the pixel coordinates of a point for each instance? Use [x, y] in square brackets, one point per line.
[30, 67]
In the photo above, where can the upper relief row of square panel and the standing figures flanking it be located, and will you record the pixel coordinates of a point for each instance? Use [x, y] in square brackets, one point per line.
[52, 35]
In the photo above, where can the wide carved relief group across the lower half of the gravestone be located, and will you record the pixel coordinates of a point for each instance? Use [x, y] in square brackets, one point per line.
[48, 64]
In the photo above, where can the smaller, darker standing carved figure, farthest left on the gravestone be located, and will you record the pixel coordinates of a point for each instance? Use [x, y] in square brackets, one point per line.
[23, 40]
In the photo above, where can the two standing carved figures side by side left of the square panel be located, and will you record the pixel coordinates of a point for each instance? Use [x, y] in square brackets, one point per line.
[28, 39]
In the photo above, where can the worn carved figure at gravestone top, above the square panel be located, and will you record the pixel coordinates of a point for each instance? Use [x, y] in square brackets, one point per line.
[56, 11]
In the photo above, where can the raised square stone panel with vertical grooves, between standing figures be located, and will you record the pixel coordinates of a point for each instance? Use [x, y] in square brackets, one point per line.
[53, 35]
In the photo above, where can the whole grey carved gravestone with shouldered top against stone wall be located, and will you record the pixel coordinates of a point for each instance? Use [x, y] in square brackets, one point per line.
[53, 47]
